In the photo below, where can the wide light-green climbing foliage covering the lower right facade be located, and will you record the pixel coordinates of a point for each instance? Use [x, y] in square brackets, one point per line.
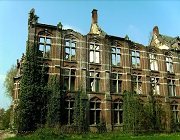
[138, 118]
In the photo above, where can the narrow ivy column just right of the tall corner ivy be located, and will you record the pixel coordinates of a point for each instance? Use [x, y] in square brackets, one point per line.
[55, 114]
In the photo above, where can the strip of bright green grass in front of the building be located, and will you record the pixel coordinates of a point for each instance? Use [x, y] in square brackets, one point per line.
[55, 134]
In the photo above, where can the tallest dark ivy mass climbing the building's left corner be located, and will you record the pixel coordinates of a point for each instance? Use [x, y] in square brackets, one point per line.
[32, 91]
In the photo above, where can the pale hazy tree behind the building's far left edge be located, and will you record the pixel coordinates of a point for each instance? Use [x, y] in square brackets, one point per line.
[9, 81]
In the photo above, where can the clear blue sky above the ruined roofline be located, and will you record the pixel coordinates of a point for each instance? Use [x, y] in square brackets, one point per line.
[118, 18]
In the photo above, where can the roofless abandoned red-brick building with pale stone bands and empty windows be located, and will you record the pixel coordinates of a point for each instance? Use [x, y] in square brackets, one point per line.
[105, 66]
